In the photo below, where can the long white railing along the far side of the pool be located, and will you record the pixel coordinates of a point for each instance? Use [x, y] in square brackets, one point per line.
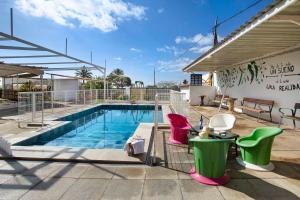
[33, 107]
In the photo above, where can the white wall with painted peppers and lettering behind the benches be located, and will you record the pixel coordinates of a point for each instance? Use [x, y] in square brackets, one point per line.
[274, 78]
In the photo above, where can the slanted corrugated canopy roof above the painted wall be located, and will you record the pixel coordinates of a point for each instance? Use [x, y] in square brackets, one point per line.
[273, 31]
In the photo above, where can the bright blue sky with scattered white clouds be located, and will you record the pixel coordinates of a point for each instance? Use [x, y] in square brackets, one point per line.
[135, 35]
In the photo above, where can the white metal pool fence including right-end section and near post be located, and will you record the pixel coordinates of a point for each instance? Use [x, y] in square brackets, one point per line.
[34, 107]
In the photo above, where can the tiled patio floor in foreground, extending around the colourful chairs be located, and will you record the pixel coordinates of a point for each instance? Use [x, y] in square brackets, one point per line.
[50, 180]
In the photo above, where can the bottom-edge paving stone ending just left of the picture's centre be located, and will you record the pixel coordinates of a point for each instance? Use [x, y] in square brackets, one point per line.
[124, 189]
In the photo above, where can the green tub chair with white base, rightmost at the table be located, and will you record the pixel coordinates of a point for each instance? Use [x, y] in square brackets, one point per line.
[256, 148]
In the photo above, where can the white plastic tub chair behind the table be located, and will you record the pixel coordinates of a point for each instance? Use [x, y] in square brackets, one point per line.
[222, 122]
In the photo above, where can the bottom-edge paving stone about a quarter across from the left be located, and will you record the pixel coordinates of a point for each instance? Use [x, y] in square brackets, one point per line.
[86, 189]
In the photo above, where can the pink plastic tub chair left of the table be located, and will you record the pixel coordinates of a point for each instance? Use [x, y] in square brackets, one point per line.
[179, 129]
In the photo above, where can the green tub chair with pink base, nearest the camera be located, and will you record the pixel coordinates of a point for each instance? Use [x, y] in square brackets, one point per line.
[210, 156]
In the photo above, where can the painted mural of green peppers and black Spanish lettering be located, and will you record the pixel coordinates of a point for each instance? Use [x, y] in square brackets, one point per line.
[280, 77]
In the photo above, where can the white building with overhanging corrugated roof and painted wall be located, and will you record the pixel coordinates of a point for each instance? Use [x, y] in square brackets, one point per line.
[259, 60]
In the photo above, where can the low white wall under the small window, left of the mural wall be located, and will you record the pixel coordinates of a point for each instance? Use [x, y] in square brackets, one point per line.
[197, 91]
